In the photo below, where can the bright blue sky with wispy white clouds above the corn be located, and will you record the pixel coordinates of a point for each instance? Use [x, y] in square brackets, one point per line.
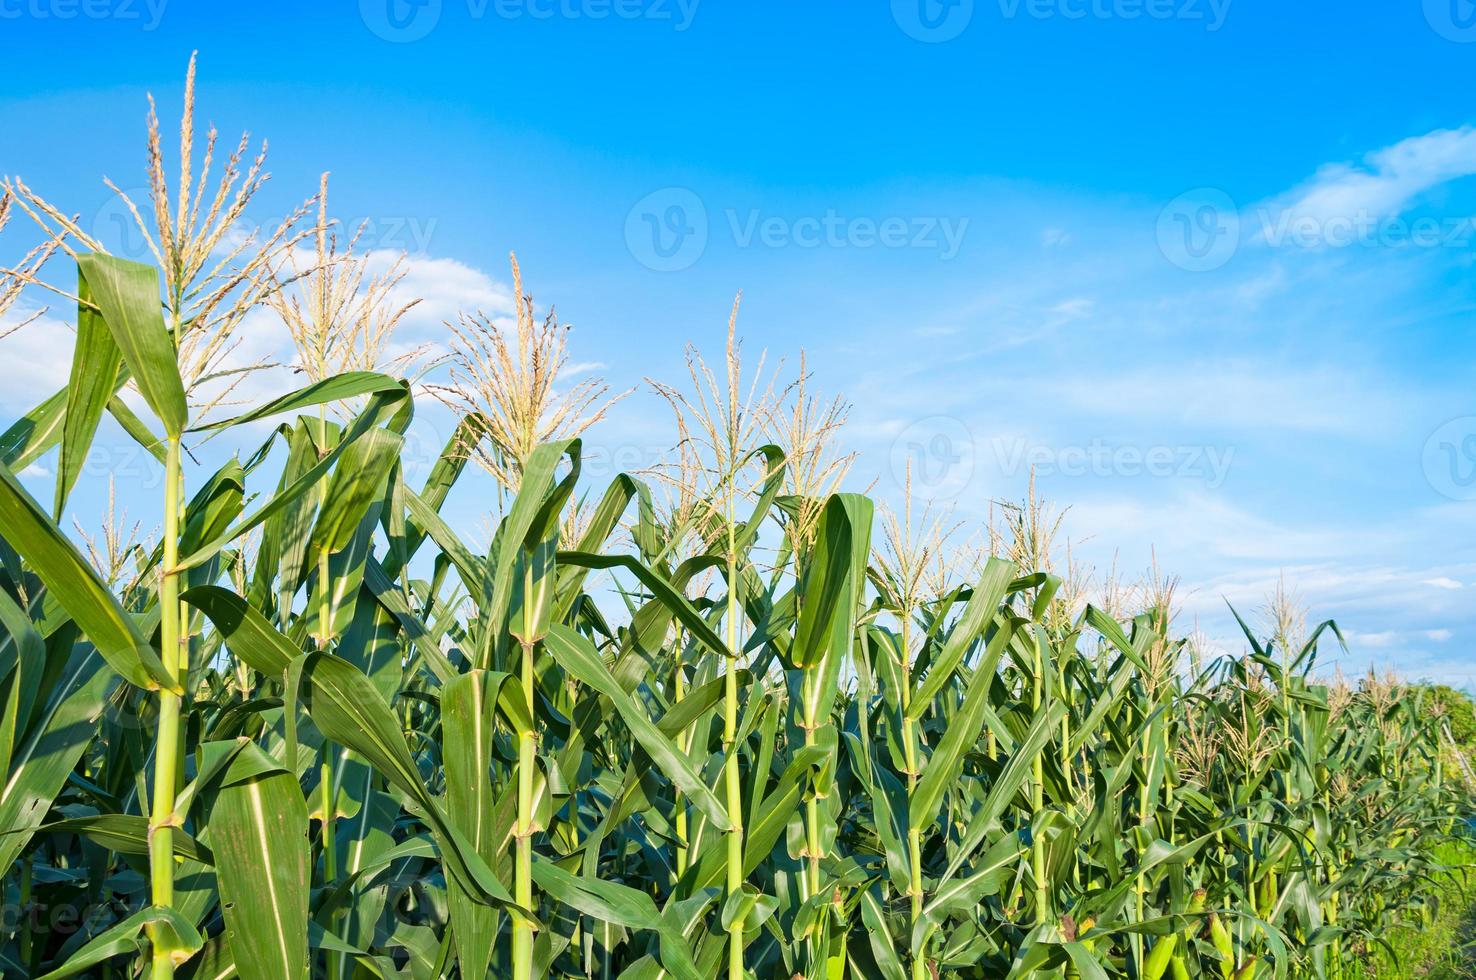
[1207, 266]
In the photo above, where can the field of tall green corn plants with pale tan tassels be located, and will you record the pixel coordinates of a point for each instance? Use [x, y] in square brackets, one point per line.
[720, 720]
